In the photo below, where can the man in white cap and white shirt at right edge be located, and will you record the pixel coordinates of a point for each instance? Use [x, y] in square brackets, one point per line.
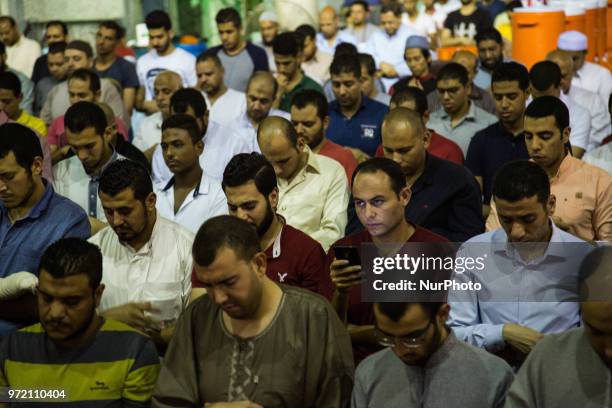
[587, 75]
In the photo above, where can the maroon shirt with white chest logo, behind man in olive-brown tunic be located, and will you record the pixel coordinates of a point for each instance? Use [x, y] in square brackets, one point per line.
[293, 259]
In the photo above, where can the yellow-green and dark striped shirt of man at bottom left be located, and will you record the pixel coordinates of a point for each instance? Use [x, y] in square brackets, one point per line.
[119, 365]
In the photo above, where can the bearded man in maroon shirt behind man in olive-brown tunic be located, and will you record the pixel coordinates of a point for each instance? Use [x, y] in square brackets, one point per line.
[251, 188]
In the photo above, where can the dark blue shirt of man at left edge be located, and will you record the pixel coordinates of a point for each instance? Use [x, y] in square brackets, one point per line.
[23, 243]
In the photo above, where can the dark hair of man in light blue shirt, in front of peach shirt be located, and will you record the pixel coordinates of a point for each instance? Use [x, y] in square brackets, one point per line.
[521, 179]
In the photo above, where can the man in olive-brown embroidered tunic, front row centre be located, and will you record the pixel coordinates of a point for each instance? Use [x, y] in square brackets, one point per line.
[251, 342]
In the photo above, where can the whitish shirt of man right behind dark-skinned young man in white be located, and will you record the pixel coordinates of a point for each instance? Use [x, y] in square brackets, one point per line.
[221, 143]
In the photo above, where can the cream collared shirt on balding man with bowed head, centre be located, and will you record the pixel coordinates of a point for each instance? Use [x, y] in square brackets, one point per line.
[315, 201]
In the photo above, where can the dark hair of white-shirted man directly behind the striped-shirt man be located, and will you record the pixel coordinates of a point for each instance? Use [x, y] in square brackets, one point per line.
[122, 174]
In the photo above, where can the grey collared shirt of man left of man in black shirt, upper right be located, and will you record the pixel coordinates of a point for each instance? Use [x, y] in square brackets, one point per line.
[476, 119]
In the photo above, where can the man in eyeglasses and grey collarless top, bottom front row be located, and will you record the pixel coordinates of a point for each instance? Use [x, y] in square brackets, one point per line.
[422, 357]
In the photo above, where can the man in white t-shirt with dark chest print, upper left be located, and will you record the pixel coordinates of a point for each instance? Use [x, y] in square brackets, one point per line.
[163, 56]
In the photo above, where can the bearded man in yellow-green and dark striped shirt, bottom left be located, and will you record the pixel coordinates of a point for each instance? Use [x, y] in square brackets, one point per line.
[101, 359]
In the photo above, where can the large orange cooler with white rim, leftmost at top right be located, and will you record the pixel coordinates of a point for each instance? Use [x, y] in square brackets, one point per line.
[534, 33]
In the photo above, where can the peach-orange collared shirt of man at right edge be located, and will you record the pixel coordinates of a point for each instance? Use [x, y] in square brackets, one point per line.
[584, 200]
